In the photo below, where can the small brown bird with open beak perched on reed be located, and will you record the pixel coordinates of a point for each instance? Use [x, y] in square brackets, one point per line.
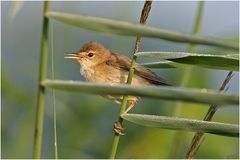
[100, 65]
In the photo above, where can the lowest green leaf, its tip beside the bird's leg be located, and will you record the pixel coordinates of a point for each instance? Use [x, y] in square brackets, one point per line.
[174, 123]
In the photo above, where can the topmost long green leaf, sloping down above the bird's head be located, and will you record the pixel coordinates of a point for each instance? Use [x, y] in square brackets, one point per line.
[130, 29]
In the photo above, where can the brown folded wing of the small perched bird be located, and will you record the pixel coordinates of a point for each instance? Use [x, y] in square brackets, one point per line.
[123, 62]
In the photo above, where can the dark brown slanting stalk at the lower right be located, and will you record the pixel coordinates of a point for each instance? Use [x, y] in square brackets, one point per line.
[198, 137]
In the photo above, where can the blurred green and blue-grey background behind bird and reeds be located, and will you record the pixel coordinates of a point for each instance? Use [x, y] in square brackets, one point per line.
[85, 122]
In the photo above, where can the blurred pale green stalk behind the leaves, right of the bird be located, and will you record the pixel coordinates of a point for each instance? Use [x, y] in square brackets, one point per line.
[186, 77]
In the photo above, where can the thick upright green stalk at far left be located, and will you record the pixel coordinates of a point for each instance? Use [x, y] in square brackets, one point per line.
[41, 89]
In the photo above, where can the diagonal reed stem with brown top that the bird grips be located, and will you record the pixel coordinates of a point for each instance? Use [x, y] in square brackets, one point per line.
[145, 12]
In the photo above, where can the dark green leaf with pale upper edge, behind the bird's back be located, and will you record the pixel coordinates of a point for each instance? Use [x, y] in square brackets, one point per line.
[223, 62]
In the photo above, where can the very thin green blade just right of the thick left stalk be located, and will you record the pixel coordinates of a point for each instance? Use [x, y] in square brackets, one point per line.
[54, 100]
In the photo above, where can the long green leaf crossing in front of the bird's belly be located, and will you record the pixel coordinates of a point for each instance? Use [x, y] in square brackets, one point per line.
[169, 93]
